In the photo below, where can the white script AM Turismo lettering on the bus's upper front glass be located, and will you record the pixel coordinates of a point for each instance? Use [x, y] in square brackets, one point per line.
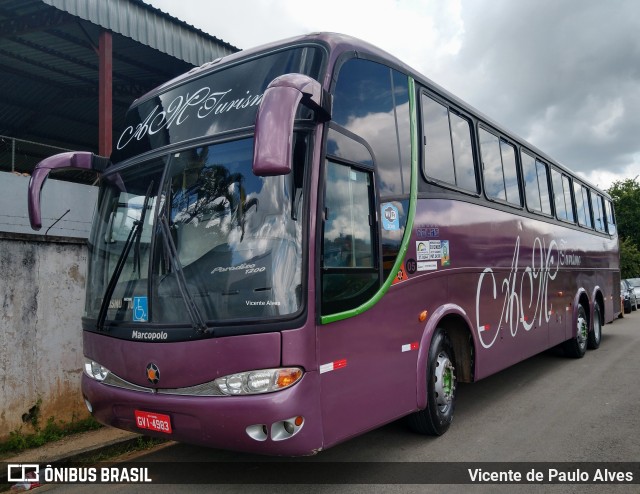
[202, 103]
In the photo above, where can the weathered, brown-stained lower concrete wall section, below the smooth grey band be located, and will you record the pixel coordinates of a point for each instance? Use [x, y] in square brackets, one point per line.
[42, 296]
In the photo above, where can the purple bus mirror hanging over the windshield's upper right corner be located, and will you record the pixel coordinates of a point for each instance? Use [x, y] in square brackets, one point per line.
[274, 120]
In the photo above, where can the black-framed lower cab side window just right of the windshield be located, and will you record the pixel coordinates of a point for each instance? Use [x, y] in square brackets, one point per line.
[350, 275]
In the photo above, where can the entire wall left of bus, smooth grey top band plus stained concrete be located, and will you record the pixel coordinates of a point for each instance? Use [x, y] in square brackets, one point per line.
[42, 292]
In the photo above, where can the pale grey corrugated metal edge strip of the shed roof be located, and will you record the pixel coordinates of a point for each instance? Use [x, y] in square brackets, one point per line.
[149, 26]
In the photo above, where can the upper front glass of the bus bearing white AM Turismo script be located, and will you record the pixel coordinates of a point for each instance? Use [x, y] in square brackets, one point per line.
[218, 101]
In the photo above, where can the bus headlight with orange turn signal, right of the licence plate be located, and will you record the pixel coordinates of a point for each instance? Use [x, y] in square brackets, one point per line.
[259, 381]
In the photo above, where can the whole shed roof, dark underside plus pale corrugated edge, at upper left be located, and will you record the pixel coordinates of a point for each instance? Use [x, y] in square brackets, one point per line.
[49, 66]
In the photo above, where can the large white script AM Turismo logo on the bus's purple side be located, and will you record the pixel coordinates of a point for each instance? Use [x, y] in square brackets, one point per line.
[532, 280]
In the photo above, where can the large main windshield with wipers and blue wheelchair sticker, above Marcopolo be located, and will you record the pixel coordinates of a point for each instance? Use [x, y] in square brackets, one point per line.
[233, 238]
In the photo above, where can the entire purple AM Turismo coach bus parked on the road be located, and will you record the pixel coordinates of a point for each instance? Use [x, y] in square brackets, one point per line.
[299, 243]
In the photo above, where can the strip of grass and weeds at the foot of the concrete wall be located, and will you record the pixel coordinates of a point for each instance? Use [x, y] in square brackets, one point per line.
[52, 431]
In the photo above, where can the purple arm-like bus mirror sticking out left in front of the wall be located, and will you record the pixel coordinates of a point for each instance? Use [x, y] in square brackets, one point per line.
[81, 160]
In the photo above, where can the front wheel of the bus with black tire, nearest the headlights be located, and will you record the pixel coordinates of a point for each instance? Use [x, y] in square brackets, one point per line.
[436, 418]
